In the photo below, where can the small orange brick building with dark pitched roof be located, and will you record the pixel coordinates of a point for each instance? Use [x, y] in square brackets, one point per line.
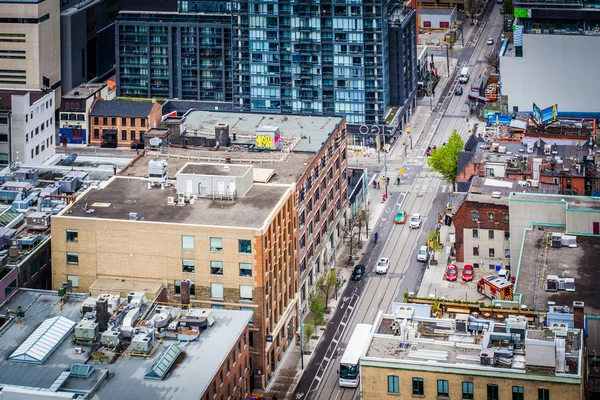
[121, 123]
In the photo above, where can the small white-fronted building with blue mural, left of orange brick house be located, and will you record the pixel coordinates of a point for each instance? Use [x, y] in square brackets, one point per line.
[76, 104]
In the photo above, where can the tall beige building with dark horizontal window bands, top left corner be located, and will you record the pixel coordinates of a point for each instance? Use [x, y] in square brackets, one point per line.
[30, 46]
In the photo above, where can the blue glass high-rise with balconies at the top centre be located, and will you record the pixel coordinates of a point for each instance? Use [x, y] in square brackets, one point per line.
[354, 58]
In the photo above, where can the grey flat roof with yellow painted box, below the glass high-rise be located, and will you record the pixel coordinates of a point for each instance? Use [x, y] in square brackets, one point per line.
[313, 131]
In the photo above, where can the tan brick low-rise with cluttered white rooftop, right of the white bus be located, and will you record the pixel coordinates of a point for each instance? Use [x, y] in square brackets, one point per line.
[471, 358]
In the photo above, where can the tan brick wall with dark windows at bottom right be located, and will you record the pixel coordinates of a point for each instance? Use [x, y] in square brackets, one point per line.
[374, 384]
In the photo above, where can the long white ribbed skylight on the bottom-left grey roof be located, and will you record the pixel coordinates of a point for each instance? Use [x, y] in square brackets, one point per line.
[42, 342]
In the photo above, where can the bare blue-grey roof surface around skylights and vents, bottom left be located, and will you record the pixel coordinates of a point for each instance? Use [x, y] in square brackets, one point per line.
[187, 378]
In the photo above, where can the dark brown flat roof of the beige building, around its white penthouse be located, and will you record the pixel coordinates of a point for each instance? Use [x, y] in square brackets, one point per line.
[122, 196]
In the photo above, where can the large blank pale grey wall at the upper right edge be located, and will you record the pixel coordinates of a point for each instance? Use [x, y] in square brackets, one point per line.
[554, 69]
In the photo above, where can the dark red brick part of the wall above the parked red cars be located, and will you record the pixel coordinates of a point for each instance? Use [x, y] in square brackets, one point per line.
[463, 219]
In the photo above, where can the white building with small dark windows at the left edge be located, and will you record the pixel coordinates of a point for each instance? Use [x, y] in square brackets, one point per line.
[27, 129]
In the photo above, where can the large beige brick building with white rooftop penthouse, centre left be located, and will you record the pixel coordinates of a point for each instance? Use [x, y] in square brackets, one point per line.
[232, 238]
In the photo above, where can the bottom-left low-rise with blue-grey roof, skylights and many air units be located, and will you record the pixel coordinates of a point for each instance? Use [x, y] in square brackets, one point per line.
[201, 354]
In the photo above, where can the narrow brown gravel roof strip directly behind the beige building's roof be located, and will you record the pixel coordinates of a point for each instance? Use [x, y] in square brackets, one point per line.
[287, 169]
